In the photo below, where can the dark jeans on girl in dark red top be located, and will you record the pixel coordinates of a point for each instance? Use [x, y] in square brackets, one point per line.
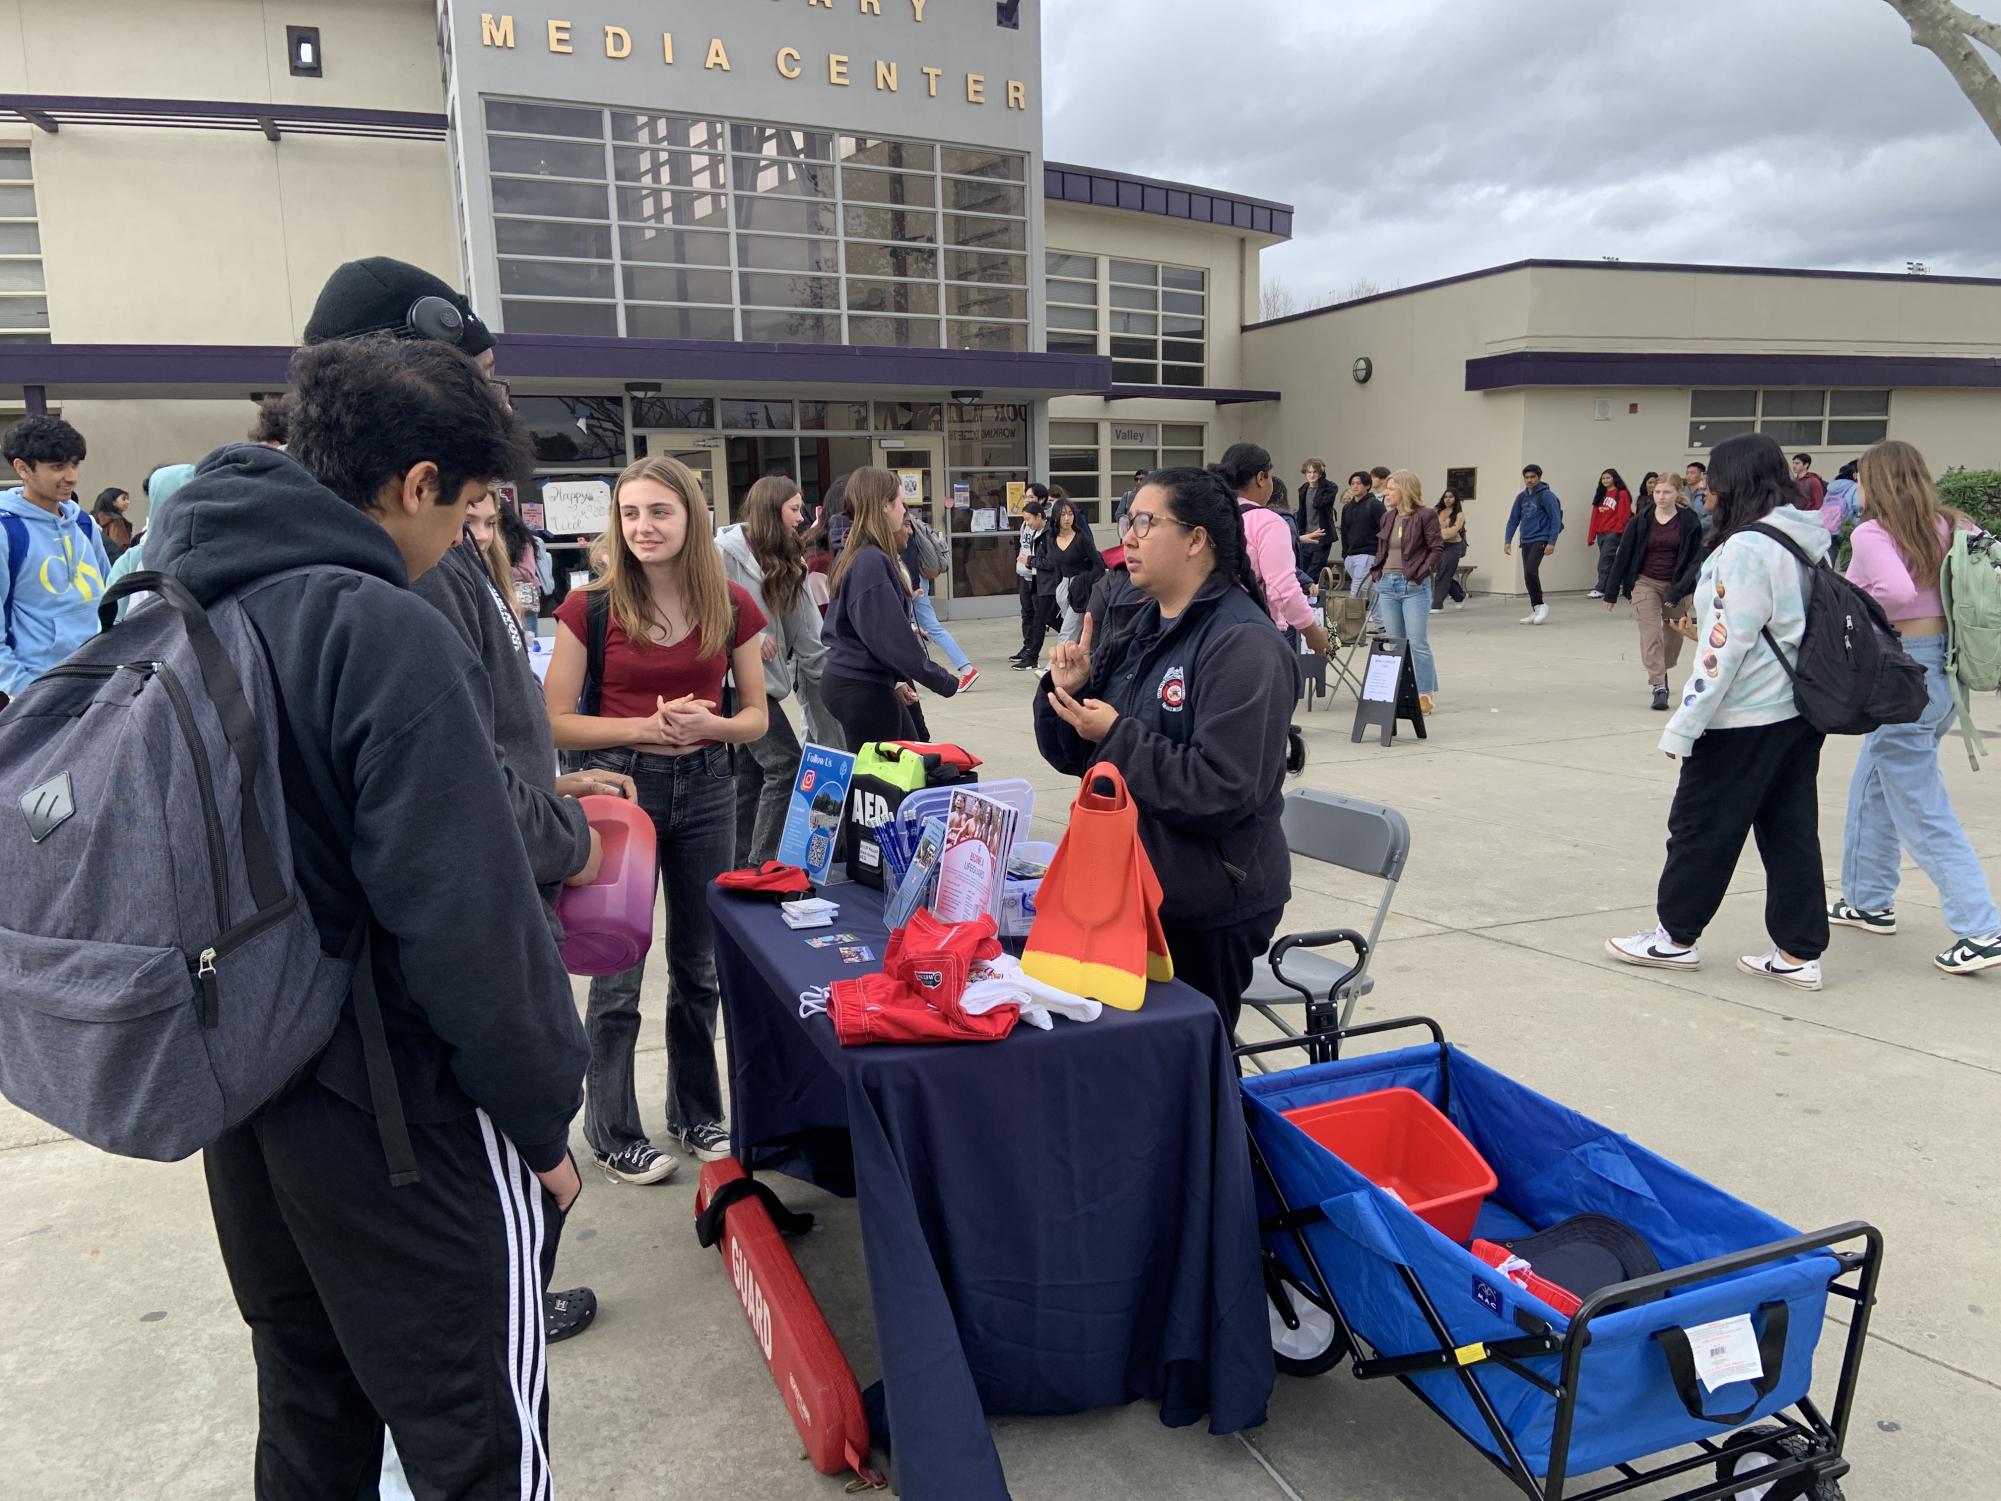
[693, 806]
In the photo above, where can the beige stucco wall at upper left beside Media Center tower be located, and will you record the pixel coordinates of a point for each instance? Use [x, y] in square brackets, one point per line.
[205, 237]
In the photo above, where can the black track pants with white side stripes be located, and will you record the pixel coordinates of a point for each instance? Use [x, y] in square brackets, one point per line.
[419, 1308]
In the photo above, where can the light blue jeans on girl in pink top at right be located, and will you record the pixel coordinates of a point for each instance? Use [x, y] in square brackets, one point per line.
[1898, 806]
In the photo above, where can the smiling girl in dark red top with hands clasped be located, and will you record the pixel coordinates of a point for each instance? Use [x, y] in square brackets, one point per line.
[675, 627]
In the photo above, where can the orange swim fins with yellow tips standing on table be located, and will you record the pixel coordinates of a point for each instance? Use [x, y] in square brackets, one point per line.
[1098, 918]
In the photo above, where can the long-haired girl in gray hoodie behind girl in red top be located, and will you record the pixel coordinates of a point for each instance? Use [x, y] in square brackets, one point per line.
[763, 555]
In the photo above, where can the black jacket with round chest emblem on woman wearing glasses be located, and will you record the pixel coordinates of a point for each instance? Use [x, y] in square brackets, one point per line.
[1204, 703]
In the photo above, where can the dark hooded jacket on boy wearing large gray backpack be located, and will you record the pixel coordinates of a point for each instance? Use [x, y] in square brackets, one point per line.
[395, 802]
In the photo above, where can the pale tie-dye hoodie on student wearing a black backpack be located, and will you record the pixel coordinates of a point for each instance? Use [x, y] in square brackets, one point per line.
[1748, 585]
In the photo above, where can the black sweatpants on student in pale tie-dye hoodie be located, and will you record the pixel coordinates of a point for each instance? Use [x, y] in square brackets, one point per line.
[1750, 782]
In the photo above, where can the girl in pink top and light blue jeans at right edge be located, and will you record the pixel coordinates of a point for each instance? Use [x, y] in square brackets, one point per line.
[1898, 802]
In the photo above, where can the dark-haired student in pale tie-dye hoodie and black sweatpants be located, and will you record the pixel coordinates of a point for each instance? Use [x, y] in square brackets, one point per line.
[1750, 764]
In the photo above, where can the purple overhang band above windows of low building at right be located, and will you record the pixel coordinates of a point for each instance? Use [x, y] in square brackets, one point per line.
[1632, 369]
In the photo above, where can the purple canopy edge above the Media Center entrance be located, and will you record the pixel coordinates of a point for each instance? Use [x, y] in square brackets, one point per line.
[555, 357]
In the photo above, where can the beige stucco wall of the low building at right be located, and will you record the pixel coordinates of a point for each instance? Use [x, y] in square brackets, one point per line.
[1418, 413]
